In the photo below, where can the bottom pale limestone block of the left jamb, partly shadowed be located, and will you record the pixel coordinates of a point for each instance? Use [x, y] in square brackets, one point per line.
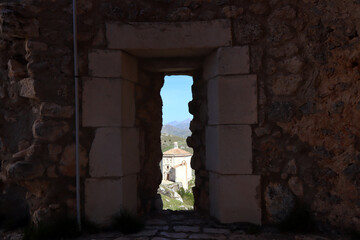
[106, 197]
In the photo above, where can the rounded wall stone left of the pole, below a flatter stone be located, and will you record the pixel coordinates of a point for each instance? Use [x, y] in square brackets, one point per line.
[50, 130]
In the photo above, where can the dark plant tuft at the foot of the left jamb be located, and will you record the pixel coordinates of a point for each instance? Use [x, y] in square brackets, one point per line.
[127, 222]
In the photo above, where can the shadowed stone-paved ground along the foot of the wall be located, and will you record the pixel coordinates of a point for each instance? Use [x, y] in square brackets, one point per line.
[191, 225]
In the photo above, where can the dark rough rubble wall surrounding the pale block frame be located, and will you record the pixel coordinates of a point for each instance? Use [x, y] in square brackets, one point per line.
[306, 58]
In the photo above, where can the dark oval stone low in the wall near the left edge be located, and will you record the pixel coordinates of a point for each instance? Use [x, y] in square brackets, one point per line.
[25, 170]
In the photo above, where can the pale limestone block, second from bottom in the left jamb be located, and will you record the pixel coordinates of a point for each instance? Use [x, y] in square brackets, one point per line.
[114, 152]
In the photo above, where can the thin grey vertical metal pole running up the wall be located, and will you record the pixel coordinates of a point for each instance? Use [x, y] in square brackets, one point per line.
[76, 80]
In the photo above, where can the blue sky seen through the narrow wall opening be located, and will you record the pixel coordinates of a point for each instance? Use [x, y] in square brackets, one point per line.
[176, 93]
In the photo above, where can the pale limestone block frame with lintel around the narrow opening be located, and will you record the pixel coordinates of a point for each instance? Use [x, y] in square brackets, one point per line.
[230, 107]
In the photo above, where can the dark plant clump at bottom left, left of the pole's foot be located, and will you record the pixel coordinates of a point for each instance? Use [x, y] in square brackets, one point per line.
[58, 228]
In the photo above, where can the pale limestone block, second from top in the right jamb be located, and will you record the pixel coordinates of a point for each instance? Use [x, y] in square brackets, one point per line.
[232, 100]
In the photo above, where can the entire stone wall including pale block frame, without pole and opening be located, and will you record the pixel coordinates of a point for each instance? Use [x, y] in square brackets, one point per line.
[300, 146]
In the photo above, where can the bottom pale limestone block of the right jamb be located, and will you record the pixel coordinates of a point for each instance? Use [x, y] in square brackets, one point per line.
[235, 198]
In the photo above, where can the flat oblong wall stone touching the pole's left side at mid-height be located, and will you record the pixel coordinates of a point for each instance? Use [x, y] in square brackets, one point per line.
[56, 111]
